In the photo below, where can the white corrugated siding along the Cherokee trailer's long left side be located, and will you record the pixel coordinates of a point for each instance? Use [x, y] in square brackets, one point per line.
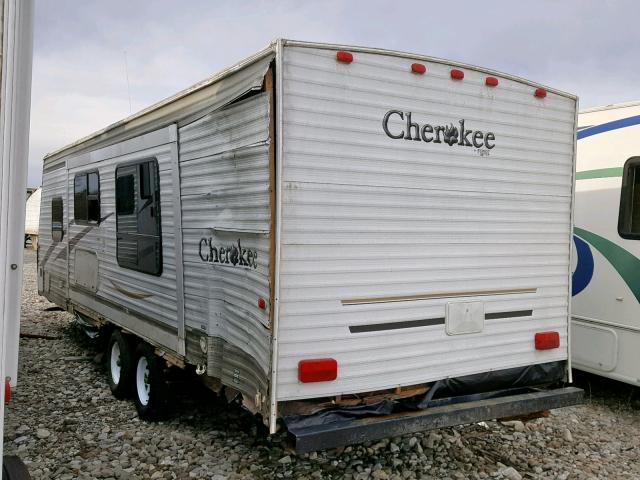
[114, 145]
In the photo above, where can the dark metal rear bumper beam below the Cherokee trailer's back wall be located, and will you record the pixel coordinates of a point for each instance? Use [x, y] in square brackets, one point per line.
[456, 411]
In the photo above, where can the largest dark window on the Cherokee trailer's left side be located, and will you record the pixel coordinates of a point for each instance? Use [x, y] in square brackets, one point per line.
[139, 239]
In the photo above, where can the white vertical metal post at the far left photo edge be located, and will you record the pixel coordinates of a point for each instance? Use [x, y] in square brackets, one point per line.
[15, 102]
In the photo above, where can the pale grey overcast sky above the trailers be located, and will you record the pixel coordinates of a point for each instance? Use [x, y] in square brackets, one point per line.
[589, 48]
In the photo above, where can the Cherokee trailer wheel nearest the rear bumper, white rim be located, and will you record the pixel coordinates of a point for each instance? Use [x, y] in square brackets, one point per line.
[150, 384]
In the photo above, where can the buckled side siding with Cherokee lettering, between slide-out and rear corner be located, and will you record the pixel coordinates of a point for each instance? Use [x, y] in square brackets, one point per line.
[224, 175]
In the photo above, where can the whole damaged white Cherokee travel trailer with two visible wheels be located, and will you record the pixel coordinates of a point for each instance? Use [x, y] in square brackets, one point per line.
[323, 228]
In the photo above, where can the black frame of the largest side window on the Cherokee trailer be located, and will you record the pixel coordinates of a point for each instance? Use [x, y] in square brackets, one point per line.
[155, 204]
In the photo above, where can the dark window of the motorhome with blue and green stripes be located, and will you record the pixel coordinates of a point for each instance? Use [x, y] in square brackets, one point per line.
[629, 217]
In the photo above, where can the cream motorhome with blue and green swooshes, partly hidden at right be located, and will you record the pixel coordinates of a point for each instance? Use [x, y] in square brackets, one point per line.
[606, 278]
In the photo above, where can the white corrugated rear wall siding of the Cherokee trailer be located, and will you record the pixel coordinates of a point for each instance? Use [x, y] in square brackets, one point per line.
[367, 216]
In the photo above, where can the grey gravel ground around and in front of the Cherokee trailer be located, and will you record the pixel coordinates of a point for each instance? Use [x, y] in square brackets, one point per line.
[65, 424]
